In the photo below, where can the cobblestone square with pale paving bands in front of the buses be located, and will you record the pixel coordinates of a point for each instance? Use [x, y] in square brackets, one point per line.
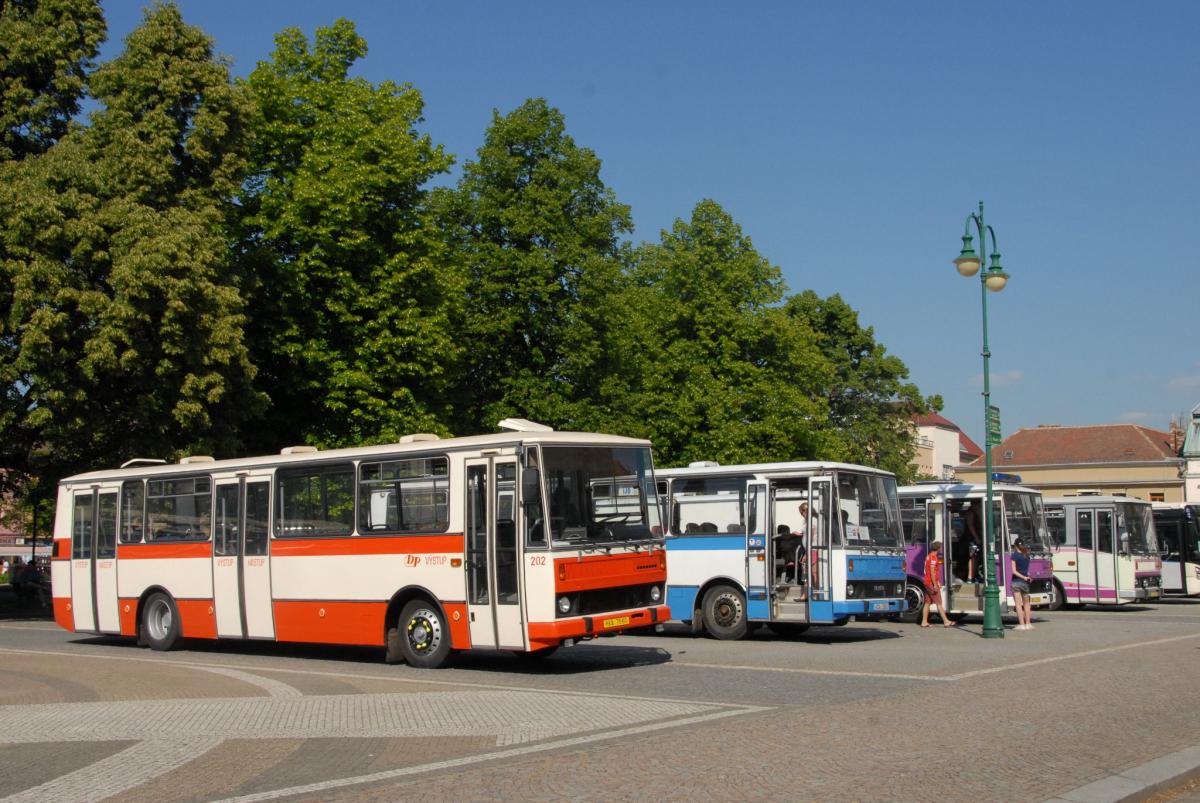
[873, 711]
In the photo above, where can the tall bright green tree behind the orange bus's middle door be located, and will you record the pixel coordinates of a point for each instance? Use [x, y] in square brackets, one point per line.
[352, 298]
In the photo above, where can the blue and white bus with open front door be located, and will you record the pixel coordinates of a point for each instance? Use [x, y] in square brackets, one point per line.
[740, 554]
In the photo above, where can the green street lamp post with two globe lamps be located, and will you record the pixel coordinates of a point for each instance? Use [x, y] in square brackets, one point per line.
[994, 279]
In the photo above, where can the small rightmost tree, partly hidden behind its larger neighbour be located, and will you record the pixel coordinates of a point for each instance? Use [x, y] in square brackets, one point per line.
[871, 405]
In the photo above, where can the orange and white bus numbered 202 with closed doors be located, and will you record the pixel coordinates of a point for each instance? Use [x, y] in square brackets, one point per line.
[427, 547]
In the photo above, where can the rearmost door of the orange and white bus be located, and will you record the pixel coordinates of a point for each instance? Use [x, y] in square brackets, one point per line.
[94, 561]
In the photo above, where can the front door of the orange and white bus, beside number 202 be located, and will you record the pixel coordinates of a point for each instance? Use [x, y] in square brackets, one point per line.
[494, 562]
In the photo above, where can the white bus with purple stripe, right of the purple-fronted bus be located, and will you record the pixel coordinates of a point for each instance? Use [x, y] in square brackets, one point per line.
[1105, 550]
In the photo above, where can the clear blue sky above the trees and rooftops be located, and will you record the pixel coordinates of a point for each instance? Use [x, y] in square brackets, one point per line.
[851, 141]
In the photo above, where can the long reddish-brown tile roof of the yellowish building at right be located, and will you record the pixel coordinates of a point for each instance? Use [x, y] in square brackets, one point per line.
[1107, 444]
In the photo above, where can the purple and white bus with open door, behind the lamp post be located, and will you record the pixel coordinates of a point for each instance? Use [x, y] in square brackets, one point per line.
[952, 513]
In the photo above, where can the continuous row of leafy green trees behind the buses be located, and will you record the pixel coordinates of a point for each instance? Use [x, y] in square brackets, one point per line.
[227, 267]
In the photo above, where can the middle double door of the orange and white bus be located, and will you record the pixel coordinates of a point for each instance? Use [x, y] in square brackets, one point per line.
[242, 574]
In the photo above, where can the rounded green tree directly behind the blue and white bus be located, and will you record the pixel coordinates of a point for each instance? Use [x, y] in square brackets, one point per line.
[718, 371]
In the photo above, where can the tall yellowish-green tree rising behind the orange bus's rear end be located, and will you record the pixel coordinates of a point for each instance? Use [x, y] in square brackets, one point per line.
[124, 317]
